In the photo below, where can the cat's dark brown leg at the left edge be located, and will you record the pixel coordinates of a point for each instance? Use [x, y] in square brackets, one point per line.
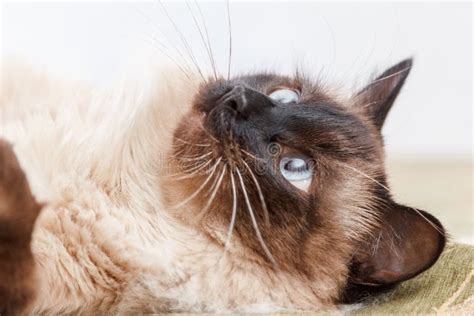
[18, 213]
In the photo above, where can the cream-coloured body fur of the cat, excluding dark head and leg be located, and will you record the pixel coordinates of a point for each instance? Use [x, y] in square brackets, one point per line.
[104, 242]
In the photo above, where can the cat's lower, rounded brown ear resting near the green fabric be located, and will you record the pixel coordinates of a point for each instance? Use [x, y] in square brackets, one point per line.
[408, 242]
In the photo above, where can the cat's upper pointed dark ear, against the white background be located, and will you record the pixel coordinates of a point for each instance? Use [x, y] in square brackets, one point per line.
[377, 97]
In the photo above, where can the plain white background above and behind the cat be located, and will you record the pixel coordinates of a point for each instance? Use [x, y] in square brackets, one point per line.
[343, 43]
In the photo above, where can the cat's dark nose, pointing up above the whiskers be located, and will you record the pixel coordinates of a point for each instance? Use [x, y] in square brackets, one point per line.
[246, 101]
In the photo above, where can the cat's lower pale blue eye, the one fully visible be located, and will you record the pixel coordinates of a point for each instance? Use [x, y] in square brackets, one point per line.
[297, 169]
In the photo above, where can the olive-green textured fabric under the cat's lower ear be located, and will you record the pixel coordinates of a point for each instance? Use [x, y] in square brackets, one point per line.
[447, 288]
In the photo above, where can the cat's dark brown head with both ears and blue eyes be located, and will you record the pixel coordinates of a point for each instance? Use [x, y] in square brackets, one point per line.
[282, 173]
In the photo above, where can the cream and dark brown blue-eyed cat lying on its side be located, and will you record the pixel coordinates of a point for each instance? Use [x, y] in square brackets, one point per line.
[259, 192]
